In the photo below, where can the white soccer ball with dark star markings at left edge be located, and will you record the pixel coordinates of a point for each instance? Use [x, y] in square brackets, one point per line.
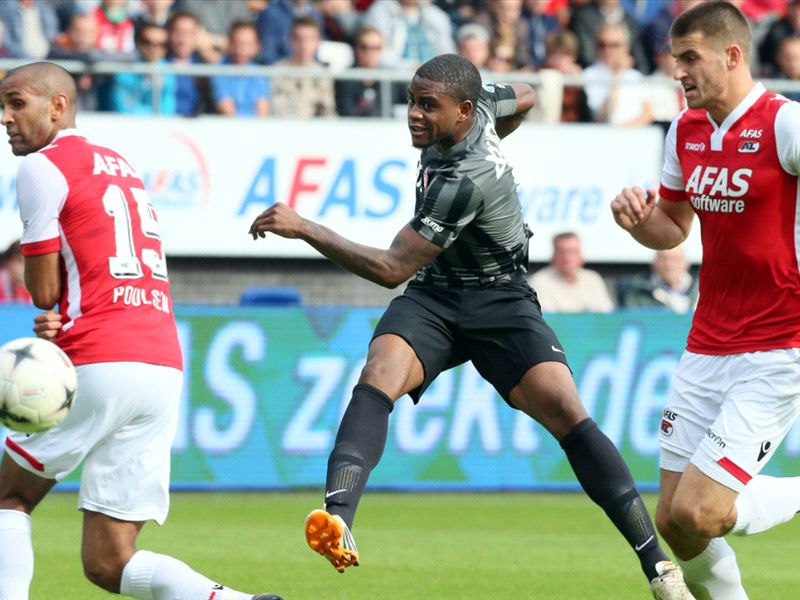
[37, 385]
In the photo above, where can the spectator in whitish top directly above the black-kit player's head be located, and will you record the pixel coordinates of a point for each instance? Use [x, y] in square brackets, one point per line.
[413, 31]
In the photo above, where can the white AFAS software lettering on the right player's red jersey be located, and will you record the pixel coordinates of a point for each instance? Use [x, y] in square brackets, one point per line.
[715, 189]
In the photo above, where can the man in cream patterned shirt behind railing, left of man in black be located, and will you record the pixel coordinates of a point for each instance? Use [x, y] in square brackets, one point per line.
[303, 97]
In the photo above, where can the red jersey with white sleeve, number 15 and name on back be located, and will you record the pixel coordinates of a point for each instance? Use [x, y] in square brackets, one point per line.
[87, 203]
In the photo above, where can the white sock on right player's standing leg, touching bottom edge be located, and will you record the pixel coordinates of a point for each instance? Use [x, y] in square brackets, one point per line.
[714, 574]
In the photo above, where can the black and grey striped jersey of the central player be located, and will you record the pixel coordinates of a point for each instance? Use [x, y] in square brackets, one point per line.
[467, 203]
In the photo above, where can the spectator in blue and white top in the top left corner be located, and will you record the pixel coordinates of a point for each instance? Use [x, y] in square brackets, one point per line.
[29, 27]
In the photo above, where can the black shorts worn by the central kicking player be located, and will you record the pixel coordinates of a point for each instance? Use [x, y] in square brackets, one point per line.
[499, 328]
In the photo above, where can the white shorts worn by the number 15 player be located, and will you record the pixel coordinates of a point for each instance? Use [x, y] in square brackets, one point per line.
[121, 427]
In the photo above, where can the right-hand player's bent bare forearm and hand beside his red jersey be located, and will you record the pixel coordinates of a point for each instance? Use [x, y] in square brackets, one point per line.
[654, 223]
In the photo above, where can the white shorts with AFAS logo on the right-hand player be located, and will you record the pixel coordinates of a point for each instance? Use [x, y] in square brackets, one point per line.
[727, 414]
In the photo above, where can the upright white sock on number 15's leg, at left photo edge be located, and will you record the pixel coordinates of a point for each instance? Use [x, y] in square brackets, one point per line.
[16, 555]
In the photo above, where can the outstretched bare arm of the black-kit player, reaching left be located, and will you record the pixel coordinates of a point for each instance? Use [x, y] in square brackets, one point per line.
[407, 254]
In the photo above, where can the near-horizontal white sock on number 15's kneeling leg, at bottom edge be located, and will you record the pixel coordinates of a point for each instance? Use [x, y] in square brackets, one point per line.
[151, 576]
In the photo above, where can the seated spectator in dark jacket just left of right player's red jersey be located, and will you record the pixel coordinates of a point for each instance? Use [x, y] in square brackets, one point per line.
[670, 284]
